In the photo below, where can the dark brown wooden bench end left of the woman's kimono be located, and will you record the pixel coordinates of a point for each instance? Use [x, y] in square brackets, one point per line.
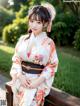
[9, 95]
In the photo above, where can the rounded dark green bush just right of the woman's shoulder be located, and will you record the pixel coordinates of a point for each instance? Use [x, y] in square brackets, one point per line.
[59, 33]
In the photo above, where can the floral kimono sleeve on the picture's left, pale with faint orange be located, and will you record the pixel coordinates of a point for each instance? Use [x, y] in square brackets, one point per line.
[16, 60]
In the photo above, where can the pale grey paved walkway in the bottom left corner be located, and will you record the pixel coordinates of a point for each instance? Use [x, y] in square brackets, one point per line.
[3, 80]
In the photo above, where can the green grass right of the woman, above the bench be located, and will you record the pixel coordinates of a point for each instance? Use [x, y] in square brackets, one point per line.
[68, 75]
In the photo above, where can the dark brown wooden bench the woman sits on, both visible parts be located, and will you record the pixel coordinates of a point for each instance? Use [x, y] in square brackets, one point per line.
[55, 98]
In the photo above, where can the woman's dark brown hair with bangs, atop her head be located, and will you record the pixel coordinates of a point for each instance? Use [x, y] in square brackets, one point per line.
[39, 13]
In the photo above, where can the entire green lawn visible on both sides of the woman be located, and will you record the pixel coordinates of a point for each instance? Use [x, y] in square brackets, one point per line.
[68, 76]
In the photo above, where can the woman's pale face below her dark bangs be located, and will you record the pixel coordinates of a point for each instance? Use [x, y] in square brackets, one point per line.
[36, 26]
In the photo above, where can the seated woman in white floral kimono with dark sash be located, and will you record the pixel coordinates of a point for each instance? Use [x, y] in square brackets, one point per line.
[35, 49]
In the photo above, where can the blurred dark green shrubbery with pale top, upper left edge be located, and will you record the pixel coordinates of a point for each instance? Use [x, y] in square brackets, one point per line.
[6, 17]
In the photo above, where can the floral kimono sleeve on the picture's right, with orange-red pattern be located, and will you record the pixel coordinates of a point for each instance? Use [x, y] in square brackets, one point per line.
[51, 67]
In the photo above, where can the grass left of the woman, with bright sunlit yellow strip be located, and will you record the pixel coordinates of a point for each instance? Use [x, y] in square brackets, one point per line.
[6, 53]
